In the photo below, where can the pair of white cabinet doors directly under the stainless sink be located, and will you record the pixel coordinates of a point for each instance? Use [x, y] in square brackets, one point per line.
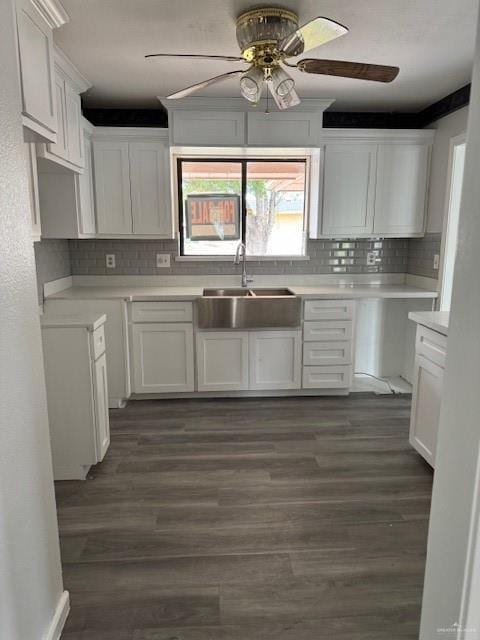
[248, 360]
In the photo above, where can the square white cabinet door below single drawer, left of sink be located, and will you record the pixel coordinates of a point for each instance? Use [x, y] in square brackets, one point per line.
[163, 358]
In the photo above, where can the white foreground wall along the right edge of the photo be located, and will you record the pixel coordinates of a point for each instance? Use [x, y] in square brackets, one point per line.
[452, 585]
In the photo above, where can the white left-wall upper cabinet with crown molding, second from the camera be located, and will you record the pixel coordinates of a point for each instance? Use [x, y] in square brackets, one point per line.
[68, 150]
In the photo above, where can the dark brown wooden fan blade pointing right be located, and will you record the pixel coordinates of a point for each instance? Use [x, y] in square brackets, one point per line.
[344, 69]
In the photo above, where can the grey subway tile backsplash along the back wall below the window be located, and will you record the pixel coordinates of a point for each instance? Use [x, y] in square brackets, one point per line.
[138, 257]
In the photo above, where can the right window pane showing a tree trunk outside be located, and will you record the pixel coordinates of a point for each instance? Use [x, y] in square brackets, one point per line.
[275, 208]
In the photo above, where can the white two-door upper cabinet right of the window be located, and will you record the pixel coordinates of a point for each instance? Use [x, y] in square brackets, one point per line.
[374, 184]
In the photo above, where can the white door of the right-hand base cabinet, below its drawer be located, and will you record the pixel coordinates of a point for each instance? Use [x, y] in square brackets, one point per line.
[426, 401]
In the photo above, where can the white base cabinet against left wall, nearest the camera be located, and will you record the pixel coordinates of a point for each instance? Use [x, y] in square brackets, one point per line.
[77, 396]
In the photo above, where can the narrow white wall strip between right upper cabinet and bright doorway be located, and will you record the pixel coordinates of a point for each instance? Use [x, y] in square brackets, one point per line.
[446, 128]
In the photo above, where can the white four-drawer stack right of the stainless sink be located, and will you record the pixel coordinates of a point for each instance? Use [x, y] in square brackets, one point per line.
[328, 344]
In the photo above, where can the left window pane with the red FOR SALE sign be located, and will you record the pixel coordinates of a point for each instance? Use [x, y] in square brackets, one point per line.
[211, 194]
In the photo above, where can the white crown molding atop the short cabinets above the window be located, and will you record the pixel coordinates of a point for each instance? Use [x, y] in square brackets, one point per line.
[318, 105]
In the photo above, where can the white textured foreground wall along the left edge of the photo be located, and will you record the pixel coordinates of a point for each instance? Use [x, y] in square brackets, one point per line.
[30, 570]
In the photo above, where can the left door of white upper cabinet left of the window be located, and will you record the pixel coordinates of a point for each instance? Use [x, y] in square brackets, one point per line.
[112, 187]
